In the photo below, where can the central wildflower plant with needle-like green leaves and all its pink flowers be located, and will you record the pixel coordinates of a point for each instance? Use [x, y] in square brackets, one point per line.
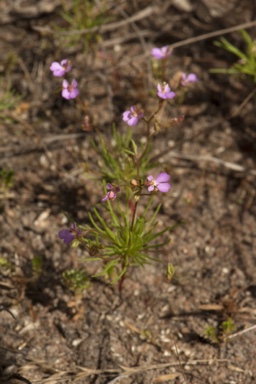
[123, 230]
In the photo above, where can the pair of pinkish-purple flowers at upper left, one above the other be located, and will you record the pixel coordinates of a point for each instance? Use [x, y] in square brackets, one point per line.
[69, 90]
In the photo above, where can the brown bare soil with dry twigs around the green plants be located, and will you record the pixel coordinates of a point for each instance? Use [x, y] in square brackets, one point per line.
[153, 332]
